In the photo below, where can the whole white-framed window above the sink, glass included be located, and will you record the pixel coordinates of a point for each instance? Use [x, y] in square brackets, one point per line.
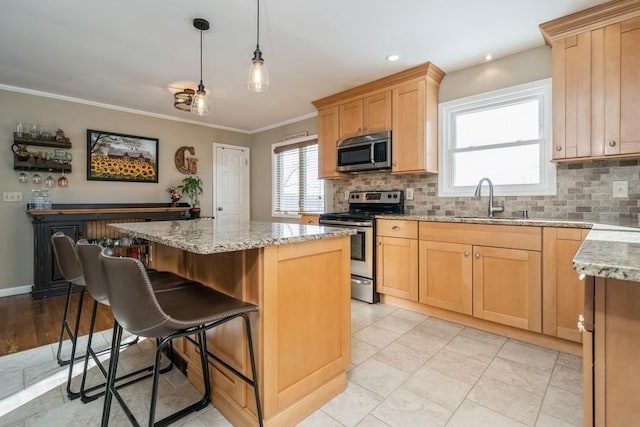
[504, 135]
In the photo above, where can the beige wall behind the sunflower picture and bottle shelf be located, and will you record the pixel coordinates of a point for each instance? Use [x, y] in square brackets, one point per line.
[16, 235]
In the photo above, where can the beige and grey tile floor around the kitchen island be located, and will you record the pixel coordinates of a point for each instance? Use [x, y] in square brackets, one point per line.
[407, 369]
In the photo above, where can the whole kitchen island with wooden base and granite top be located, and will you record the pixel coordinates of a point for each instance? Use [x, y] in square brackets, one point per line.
[299, 277]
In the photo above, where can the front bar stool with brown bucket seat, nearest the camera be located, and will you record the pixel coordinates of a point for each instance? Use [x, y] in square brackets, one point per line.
[180, 313]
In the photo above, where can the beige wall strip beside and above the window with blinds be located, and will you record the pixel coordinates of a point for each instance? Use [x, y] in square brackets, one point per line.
[261, 165]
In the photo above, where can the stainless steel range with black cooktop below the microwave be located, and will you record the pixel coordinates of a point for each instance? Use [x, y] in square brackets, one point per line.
[363, 207]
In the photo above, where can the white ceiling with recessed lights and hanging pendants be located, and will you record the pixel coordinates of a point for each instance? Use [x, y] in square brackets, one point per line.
[130, 53]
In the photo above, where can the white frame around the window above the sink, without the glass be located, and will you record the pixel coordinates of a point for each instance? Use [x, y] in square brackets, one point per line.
[447, 111]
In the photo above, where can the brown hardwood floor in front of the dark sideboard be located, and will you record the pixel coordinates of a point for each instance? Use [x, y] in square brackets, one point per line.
[29, 323]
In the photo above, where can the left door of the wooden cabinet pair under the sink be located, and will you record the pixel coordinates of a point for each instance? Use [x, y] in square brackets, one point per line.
[445, 275]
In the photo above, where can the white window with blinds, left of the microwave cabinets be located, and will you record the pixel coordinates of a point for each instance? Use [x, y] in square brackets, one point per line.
[296, 187]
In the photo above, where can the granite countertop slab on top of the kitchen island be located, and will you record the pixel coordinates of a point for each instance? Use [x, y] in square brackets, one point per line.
[204, 236]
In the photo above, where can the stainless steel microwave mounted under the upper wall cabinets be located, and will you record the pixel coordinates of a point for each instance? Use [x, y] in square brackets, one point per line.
[365, 153]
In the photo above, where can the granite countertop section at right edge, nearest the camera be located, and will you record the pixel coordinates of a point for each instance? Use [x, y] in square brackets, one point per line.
[610, 252]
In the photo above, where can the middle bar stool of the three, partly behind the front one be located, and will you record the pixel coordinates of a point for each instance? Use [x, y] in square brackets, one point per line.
[162, 281]
